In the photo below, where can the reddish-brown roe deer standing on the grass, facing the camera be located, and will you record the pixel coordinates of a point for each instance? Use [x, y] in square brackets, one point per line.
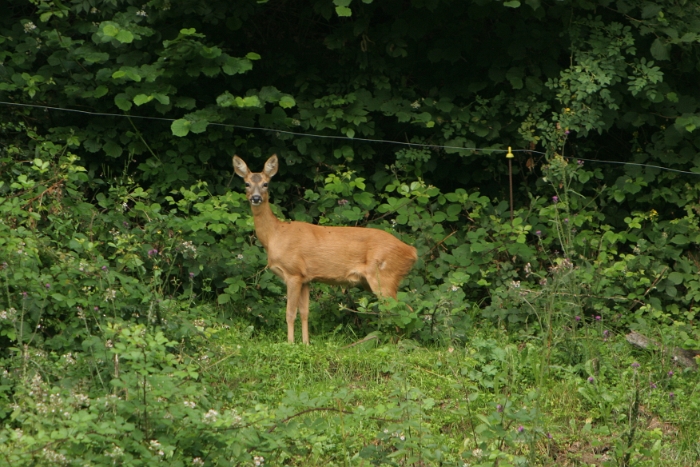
[299, 252]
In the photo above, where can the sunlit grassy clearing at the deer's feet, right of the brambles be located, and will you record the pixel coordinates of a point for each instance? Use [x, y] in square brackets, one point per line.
[491, 402]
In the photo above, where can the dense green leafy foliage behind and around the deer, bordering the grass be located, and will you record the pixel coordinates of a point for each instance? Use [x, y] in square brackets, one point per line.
[124, 238]
